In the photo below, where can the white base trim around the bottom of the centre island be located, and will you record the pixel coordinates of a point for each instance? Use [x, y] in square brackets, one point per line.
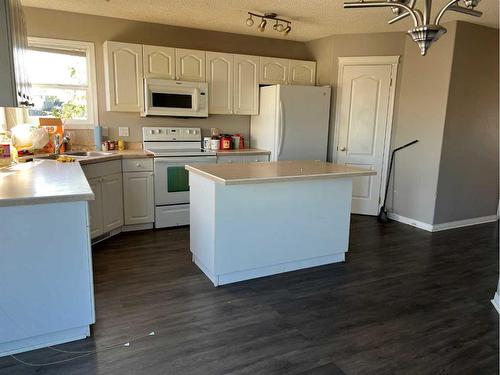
[234, 277]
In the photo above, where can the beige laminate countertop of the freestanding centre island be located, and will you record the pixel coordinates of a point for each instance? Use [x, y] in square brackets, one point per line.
[277, 171]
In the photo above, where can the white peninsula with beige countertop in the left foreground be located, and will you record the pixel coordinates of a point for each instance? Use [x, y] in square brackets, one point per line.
[46, 287]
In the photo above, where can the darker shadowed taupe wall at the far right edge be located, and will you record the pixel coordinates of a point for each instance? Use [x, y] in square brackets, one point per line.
[468, 172]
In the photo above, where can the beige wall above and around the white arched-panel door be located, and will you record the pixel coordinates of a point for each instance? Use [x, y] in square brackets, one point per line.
[326, 52]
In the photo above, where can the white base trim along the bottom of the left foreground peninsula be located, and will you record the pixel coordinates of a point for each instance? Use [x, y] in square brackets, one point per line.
[42, 341]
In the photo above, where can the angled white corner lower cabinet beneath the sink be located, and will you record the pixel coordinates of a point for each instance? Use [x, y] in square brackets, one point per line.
[106, 210]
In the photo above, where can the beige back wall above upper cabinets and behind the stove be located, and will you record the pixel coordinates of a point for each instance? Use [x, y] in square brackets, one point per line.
[63, 25]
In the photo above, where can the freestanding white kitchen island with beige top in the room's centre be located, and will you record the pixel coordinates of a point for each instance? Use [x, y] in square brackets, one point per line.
[259, 219]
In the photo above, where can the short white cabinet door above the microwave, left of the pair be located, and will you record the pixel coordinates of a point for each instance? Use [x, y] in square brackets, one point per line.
[158, 62]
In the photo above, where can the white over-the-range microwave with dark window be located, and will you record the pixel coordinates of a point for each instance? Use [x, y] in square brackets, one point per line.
[164, 97]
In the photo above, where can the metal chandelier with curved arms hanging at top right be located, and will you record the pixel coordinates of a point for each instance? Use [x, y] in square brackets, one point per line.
[423, 32]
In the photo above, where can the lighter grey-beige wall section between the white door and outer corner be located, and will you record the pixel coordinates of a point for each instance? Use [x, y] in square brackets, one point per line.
[421, 115]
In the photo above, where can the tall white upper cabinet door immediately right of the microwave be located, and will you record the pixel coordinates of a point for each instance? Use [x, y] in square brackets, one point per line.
[220, 82]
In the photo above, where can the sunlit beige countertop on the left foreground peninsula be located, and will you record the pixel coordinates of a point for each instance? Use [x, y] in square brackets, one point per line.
[43, 181]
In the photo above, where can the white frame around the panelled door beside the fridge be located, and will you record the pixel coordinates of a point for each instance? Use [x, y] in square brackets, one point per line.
[369, 60]
